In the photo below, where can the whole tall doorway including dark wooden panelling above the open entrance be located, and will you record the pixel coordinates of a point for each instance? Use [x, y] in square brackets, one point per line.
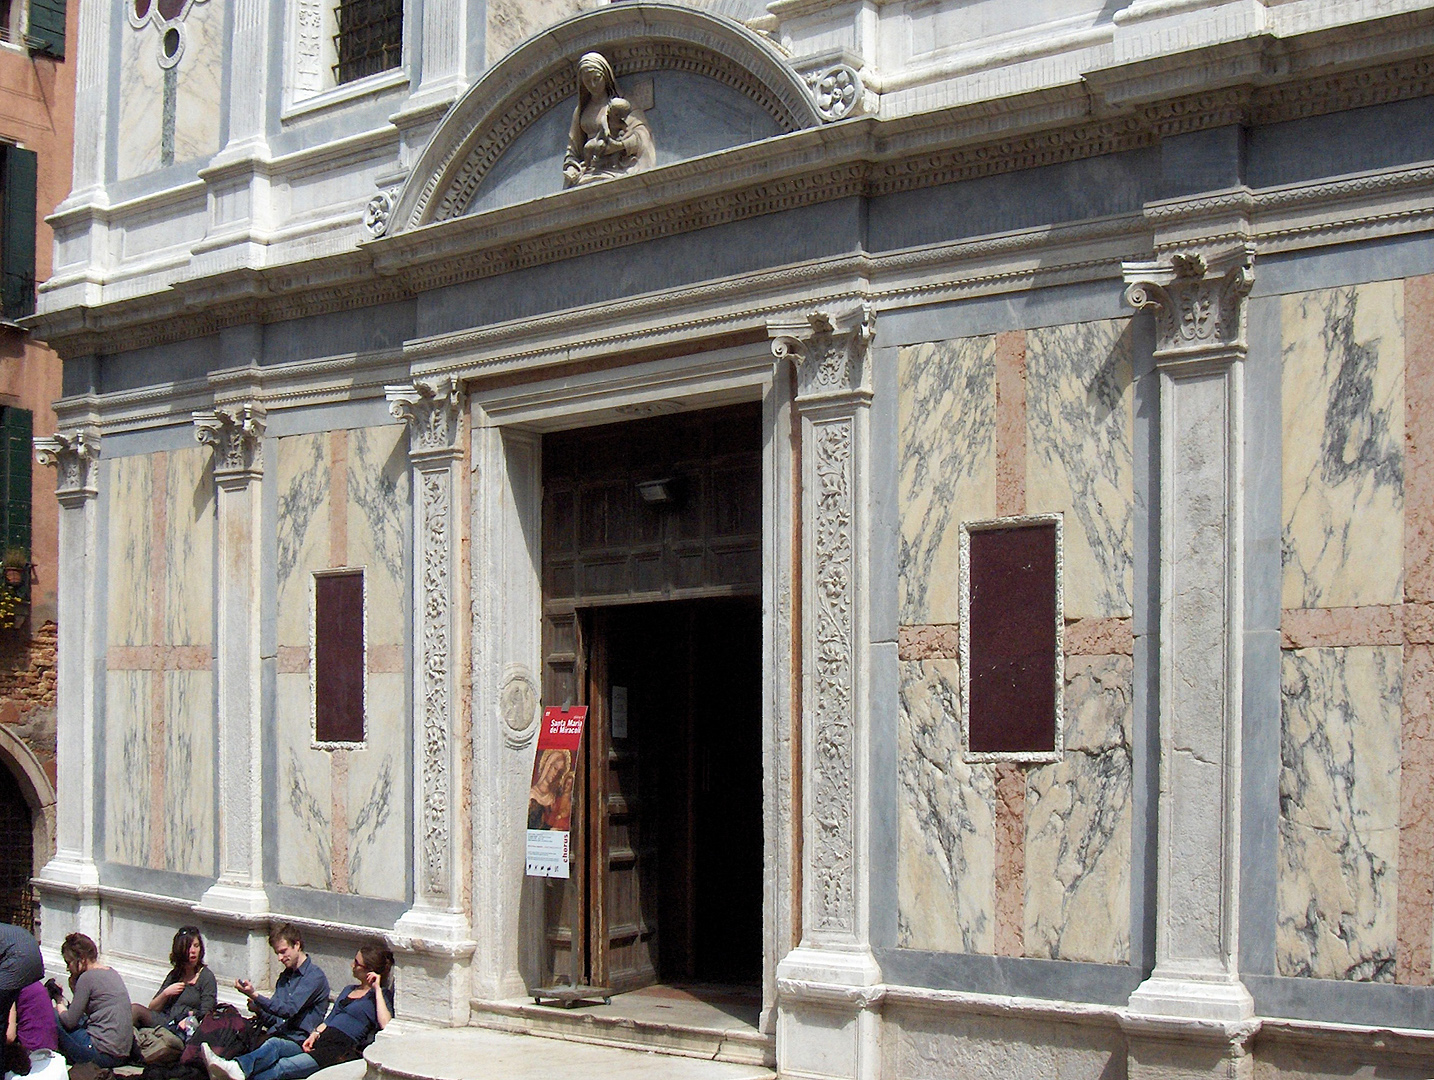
[653, 619]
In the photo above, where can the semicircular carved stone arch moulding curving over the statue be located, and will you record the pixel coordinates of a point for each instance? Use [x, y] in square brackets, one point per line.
[543, 72]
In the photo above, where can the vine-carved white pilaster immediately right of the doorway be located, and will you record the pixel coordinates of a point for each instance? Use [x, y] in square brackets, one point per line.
[830, 352]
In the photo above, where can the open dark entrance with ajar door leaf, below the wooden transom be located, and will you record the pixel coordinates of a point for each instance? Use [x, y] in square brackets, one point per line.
[675, 794]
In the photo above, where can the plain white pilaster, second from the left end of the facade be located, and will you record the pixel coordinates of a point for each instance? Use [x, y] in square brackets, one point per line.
[237, 435]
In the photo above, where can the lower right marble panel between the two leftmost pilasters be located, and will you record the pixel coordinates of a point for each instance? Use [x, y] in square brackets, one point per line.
[190, 774]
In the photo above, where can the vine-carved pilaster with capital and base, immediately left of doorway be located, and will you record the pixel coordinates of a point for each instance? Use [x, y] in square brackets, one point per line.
[432, 414]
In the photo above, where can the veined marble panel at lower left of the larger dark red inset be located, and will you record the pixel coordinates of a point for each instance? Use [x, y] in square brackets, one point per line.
[947, 863]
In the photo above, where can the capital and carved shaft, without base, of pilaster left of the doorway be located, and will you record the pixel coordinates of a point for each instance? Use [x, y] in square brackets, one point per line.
[432, 414]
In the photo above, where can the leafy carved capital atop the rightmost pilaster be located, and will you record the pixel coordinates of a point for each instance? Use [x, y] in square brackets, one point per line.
[1198, 302]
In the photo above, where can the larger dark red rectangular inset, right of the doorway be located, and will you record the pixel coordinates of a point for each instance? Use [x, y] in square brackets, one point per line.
[1013, 640]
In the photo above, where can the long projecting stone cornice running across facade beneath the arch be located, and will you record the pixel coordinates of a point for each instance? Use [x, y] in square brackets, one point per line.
[860, 158]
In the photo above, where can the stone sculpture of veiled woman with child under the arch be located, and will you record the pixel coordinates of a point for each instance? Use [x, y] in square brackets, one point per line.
[609, 136]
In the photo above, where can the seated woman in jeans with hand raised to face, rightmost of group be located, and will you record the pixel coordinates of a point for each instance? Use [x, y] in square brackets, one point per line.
[361, 1012]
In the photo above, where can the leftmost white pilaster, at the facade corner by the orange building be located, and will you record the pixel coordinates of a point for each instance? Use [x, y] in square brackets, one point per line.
[72, 873]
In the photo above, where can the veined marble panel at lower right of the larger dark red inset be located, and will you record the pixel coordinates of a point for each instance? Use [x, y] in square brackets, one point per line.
[1078, 823]
